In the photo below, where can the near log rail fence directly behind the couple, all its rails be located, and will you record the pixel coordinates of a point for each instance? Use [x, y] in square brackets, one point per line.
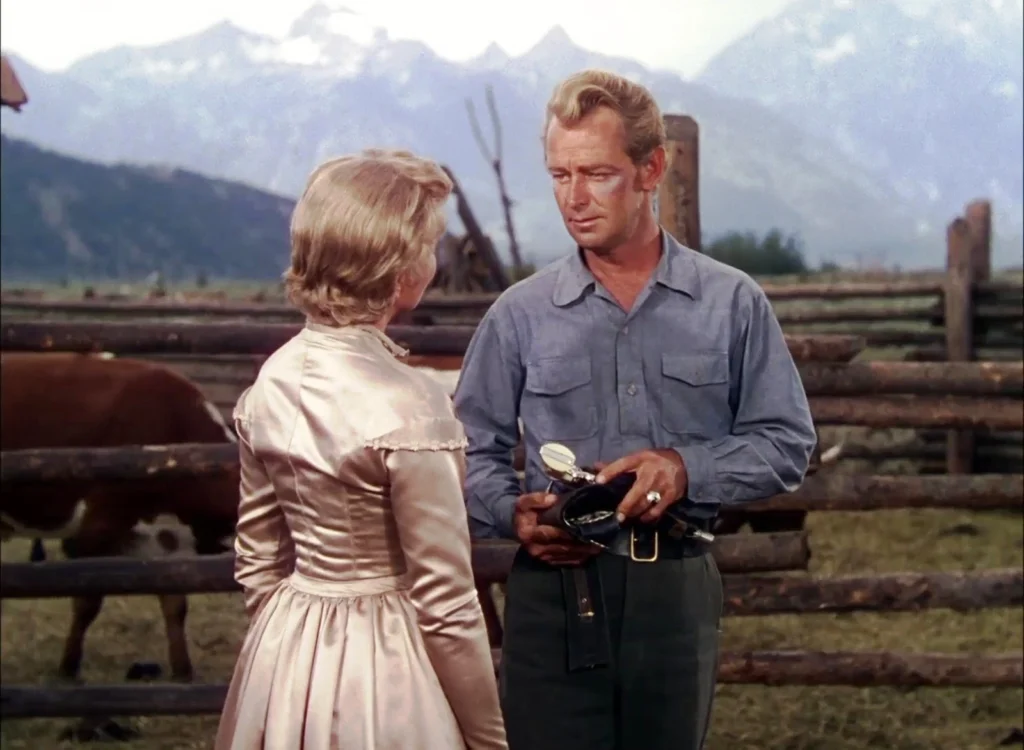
[762, 573]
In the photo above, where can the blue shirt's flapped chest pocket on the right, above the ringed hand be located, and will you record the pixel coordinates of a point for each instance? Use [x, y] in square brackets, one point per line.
[696, 395]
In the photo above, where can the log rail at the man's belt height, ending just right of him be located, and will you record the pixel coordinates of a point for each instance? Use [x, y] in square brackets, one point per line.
[215, 574]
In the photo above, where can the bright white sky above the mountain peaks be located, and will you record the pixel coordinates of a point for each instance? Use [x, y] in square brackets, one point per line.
[677, 35]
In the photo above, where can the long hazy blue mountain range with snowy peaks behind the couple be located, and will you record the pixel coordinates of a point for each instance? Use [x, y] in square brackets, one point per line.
[266, 110]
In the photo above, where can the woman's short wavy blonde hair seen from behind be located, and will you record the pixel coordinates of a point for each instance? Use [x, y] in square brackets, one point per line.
[362, 222]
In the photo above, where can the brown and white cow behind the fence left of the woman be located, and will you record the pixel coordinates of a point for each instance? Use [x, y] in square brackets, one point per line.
[83, 401]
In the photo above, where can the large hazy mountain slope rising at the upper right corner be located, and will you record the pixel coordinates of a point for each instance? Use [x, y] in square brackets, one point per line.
[927, 93]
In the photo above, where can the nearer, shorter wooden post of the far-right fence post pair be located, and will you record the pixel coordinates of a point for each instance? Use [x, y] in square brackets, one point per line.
[959, 302]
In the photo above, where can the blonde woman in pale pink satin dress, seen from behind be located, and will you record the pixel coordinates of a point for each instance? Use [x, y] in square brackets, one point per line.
[353, 546]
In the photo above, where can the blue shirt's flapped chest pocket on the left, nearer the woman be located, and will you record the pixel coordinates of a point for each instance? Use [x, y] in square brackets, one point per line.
[559, 401]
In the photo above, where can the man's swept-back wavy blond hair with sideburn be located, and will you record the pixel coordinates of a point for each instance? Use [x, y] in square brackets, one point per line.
[583, 93]
